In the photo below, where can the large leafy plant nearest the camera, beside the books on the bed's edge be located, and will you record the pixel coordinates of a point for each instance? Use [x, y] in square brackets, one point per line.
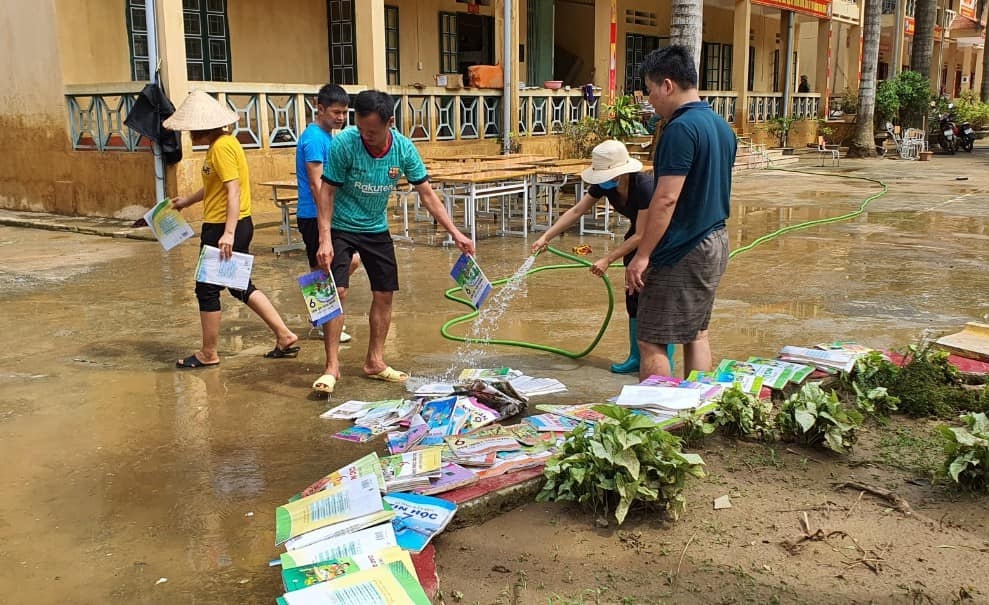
[627, 459]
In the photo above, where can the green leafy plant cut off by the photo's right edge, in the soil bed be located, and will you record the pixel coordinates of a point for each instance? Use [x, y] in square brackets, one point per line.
[967, 452]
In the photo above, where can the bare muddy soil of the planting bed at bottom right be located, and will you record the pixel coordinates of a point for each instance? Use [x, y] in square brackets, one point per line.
[863, 550]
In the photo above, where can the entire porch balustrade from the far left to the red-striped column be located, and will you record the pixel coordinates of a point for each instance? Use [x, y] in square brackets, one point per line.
[274, 115]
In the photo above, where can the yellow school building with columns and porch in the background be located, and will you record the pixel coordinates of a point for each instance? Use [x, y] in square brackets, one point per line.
[77, 68]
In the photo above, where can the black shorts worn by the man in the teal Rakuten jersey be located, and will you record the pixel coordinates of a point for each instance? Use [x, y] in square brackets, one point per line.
[377, 252]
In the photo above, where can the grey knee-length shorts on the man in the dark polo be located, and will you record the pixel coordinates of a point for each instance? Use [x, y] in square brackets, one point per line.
[675, 303]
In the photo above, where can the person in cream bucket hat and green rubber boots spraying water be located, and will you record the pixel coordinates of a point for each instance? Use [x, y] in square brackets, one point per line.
[619, 178]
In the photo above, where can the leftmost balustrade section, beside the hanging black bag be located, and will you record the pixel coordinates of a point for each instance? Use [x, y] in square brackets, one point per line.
[97, 113]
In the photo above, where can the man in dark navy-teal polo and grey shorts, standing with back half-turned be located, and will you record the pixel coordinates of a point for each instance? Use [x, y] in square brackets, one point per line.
[684, 247]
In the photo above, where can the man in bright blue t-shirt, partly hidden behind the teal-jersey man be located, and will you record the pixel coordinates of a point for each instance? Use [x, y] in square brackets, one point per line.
[332, 105]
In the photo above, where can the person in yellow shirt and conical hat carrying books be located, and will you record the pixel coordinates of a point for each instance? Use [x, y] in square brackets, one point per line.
[227, 225]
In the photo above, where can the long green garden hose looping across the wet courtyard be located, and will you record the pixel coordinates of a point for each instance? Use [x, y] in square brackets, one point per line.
[580, 263]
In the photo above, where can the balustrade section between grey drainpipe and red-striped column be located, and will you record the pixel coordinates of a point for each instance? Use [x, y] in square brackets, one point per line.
[543, 111]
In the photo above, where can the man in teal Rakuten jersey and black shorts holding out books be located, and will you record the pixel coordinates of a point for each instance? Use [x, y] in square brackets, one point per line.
[360, 174]
